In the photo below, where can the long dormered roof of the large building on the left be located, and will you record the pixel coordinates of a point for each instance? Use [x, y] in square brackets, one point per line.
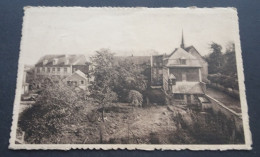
[62, 59]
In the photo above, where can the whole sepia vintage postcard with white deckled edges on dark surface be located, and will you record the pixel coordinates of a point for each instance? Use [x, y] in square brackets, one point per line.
[130, 78]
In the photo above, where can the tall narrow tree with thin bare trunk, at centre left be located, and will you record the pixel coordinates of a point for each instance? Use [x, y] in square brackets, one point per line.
[105, 76]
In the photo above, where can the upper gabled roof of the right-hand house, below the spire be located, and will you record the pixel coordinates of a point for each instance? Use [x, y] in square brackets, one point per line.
[174, 59]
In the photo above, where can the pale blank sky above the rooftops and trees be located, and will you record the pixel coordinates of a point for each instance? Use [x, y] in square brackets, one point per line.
[125, 31]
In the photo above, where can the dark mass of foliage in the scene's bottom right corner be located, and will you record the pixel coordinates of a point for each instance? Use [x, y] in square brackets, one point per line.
[209, 128]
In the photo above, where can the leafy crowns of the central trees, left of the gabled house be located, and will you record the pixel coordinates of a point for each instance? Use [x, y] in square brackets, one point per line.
[119, 78]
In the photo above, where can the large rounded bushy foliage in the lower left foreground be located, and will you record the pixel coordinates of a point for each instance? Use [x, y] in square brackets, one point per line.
[58, 107]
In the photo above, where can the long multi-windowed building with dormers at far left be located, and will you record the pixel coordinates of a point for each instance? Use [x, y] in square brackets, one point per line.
[61, 66]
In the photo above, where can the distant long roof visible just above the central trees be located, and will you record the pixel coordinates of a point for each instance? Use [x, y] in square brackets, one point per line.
[138, 60]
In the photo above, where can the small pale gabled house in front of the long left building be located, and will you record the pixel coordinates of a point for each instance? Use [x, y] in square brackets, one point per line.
[78, 80]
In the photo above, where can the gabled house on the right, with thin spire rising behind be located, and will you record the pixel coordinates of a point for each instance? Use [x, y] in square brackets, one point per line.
[181, 74]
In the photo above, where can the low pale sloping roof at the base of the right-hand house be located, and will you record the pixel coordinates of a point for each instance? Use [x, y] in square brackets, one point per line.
[187, 88]
